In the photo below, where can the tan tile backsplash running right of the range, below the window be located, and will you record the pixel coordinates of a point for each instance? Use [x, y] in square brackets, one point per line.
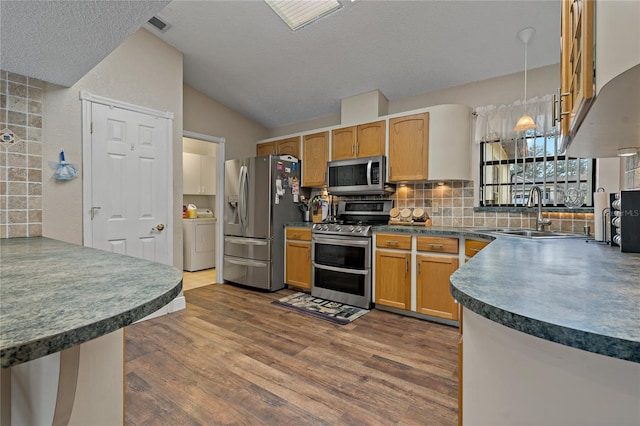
[452, 204]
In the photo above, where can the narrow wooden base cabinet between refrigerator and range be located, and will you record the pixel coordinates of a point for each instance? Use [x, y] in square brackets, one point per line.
[298, 257]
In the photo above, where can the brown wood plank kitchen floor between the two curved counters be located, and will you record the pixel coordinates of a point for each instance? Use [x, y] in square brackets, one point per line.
[231, 357]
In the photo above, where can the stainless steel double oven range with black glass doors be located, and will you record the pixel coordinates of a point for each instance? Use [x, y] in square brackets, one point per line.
[342, 252]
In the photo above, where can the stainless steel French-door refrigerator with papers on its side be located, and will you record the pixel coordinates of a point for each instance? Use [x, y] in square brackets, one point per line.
[260, 197]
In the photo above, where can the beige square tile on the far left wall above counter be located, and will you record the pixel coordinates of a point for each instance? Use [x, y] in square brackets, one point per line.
[20, 156]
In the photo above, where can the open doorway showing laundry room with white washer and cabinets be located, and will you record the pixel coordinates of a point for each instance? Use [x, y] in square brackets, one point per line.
[202, 195]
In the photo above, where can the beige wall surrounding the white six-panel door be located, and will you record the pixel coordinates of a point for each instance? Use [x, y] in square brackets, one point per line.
[143, 71]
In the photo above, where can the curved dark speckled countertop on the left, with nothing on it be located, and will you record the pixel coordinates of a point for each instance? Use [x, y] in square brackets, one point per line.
[55, 295]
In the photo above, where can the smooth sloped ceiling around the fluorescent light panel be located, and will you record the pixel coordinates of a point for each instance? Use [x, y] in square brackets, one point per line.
[241, 54]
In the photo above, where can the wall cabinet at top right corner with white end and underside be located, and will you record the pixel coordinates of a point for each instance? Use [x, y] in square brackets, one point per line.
[599, 109]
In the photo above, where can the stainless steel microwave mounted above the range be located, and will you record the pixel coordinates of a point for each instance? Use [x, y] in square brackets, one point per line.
[358, 176]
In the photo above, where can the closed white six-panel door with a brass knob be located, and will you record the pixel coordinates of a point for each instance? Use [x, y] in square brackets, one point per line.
[131, 183]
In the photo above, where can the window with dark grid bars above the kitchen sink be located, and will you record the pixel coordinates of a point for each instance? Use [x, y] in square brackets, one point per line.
[510, 167]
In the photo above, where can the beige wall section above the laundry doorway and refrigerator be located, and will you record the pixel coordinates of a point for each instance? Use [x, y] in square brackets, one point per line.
[207, 116]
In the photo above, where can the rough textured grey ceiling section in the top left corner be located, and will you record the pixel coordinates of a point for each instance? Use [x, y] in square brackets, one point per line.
[60, 41]
